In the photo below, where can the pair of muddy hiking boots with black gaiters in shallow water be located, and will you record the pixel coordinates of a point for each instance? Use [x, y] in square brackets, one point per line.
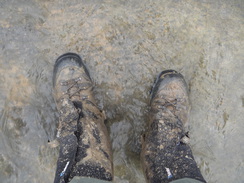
[85, 149]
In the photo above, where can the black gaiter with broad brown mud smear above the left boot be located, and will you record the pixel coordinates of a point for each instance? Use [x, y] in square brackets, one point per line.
[84, 145]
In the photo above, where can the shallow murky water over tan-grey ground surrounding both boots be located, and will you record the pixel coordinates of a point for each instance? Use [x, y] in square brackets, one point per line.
[125, 44]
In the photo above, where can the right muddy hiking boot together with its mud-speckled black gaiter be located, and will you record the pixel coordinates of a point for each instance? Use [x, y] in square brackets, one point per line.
[165, 155]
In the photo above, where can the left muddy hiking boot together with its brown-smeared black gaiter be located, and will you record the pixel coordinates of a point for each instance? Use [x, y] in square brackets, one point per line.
[84, 142]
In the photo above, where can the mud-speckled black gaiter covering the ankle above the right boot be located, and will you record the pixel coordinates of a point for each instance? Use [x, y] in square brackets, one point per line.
[166, 160]
